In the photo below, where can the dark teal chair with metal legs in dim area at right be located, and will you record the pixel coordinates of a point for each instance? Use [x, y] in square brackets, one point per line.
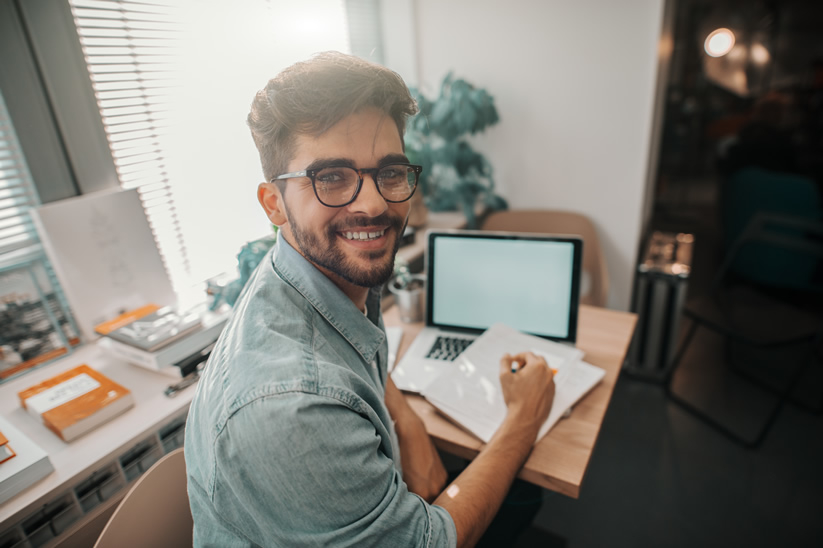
[759, 299]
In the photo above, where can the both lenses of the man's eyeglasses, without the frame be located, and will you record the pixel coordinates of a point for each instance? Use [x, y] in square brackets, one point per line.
[337, 185]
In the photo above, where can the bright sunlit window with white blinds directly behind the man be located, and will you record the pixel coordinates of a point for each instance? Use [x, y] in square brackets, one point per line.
[174, 81]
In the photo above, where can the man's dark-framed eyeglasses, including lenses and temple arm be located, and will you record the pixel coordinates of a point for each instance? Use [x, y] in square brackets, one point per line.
[338, 186]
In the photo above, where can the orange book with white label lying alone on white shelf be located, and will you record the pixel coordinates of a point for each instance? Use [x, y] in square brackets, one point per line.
[72, 403]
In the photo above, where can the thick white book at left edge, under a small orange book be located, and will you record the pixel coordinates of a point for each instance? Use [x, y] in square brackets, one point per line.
[29, 465]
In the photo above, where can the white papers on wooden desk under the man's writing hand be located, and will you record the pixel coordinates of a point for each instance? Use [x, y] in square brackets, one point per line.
[470, 392]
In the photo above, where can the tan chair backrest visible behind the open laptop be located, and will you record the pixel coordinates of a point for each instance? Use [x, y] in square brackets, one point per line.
[594, 288]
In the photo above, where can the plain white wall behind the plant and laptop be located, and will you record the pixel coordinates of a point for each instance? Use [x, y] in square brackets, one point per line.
[573, 82]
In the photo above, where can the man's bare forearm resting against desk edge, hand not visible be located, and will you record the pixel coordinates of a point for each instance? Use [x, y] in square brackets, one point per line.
[423, 470]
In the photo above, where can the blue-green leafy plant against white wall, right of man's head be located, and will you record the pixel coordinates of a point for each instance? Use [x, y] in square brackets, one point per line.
[455, 176]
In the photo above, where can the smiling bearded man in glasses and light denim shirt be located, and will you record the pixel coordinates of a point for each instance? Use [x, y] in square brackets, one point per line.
[297, 436]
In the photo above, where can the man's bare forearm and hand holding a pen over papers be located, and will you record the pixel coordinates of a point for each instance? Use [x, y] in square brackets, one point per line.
[474, 497]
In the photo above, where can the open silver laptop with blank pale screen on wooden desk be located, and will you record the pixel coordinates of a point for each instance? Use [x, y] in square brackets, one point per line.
[530, 282]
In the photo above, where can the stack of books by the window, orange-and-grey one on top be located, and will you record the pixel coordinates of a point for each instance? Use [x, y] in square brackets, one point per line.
[161, 338]
